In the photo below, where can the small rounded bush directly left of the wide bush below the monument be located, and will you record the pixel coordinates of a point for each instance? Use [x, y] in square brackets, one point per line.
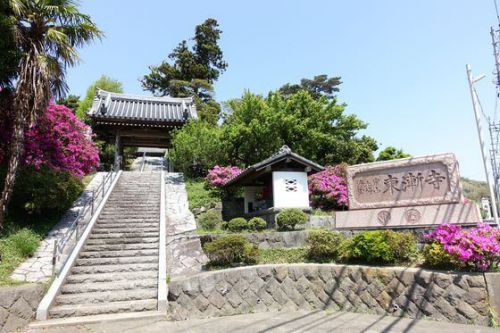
[324, 245]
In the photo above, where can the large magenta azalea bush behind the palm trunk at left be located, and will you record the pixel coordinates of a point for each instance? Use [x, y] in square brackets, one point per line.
[59, 140]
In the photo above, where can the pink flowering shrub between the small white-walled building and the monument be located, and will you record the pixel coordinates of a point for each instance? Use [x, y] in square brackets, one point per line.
[328, 189]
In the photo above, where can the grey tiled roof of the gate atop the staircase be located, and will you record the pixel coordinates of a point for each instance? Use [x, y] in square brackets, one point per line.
[124, 107]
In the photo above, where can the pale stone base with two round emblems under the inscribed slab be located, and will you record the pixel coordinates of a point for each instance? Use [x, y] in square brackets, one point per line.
[407, 217]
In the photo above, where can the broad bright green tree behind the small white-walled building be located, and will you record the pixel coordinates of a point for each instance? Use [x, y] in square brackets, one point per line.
[317, 129]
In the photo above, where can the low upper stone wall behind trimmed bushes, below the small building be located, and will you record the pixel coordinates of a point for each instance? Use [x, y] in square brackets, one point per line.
[269, 240]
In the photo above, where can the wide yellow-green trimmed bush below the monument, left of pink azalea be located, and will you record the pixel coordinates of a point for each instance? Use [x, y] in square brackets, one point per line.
[381, 246]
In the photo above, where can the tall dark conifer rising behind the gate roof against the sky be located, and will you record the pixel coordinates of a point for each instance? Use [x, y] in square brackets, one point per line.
[193, 71]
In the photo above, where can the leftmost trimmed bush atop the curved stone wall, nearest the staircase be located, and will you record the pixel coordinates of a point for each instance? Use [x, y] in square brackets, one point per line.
[231, 250]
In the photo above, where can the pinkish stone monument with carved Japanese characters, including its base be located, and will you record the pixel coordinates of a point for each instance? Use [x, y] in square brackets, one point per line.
[410, 192]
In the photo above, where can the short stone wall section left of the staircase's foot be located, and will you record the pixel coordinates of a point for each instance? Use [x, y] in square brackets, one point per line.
[18, 305]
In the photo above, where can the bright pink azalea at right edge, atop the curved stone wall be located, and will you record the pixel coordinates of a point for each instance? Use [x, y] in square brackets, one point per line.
[475, 248]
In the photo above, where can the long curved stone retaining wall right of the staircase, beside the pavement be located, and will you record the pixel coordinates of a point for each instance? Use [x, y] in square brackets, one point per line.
[410, 292]
